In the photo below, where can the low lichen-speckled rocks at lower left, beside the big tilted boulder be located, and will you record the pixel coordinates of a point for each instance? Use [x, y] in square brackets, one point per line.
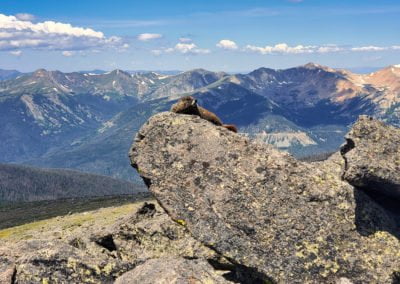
[99, 254]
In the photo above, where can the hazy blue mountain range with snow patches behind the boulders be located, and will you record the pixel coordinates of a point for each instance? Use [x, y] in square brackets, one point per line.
[86, 121]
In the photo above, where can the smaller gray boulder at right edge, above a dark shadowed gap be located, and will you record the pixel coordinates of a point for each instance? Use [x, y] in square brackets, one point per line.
[372, 155]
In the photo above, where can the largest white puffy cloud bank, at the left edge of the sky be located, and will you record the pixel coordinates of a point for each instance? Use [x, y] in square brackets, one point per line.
[18, 34]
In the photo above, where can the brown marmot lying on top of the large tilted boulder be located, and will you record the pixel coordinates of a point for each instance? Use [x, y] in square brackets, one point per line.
[188, 105]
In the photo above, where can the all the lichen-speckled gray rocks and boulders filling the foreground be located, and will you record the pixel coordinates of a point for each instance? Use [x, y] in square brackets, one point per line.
[234, 211]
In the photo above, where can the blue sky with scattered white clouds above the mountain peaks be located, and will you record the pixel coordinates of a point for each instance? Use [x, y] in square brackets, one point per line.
[180, 35]
